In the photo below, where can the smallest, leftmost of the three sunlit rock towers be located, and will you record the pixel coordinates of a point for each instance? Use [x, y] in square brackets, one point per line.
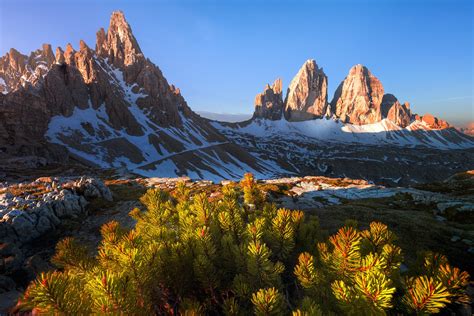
[269, 104]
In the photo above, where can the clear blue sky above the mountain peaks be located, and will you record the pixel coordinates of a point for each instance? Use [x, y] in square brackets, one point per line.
[222, 53]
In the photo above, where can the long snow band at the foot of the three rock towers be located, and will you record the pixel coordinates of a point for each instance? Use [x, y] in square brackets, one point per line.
[331, 130]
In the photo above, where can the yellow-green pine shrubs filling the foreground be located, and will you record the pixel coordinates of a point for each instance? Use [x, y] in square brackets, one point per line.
[238, 255]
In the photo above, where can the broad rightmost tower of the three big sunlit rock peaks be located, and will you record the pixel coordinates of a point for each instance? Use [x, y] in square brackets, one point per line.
[358, 98]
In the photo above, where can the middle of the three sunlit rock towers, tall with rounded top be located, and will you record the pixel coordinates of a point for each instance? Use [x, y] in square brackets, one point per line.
[307, 94]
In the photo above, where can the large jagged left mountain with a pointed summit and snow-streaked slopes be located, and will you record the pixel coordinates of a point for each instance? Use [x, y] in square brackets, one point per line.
[111, 107]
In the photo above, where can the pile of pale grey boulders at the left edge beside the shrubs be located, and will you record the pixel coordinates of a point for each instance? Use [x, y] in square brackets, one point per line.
[26, 216]
